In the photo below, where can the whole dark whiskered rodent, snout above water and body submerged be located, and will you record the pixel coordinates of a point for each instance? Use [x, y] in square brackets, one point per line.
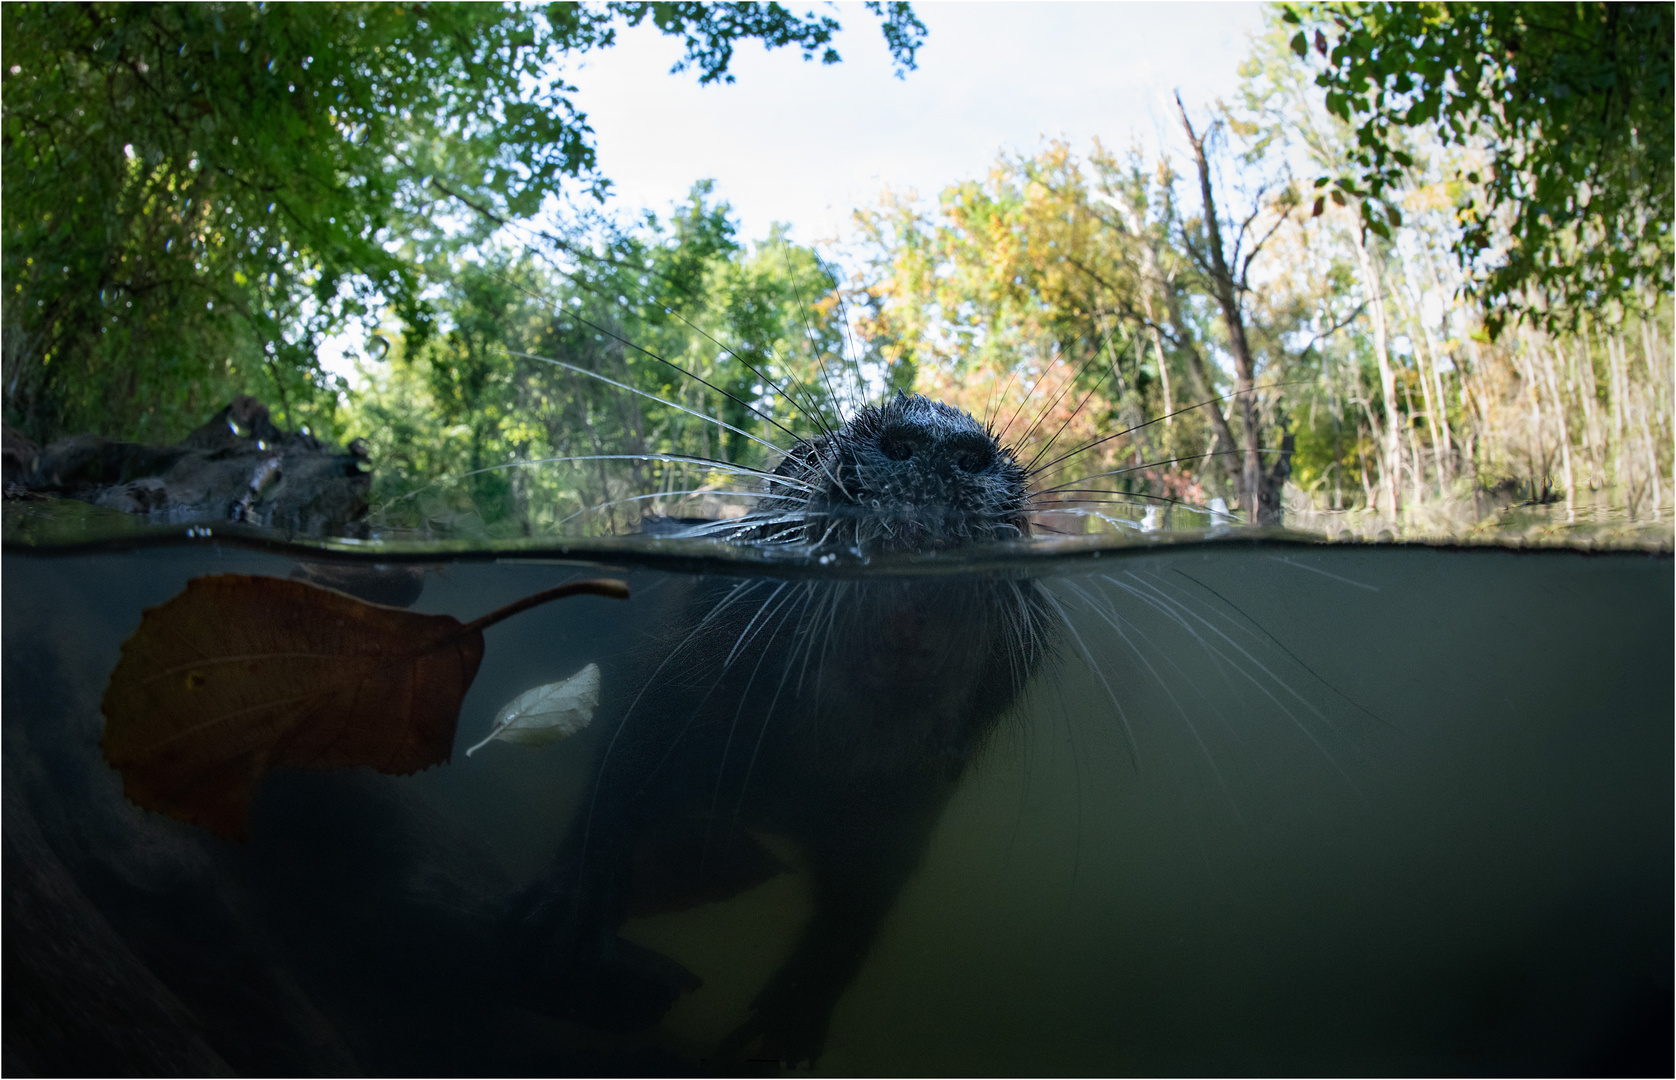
[835, 714]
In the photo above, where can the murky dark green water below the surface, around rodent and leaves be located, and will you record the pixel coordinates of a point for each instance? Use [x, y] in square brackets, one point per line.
[1271, 807]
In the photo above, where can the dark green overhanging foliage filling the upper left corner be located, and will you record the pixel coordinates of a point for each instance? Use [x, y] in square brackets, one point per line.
[199, 194]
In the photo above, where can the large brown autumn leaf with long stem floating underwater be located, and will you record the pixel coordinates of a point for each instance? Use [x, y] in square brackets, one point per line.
[241, 673]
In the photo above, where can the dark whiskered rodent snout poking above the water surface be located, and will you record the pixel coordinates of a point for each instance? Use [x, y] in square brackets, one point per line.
[911, 475]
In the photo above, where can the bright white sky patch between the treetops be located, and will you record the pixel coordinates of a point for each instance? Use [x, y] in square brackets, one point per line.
[807, 143]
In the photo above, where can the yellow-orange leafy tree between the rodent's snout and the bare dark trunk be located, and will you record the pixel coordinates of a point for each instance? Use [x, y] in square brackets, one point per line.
[1058, 299]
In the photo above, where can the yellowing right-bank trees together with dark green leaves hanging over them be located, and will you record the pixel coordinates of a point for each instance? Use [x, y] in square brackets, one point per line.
[1399, 345]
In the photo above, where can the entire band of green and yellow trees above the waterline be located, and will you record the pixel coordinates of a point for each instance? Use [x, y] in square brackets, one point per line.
[1415, 271]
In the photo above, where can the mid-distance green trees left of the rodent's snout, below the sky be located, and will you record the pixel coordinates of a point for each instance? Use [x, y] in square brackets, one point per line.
[495, 422]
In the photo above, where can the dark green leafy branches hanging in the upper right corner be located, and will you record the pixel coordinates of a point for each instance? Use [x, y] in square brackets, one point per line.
[1571, 209]
